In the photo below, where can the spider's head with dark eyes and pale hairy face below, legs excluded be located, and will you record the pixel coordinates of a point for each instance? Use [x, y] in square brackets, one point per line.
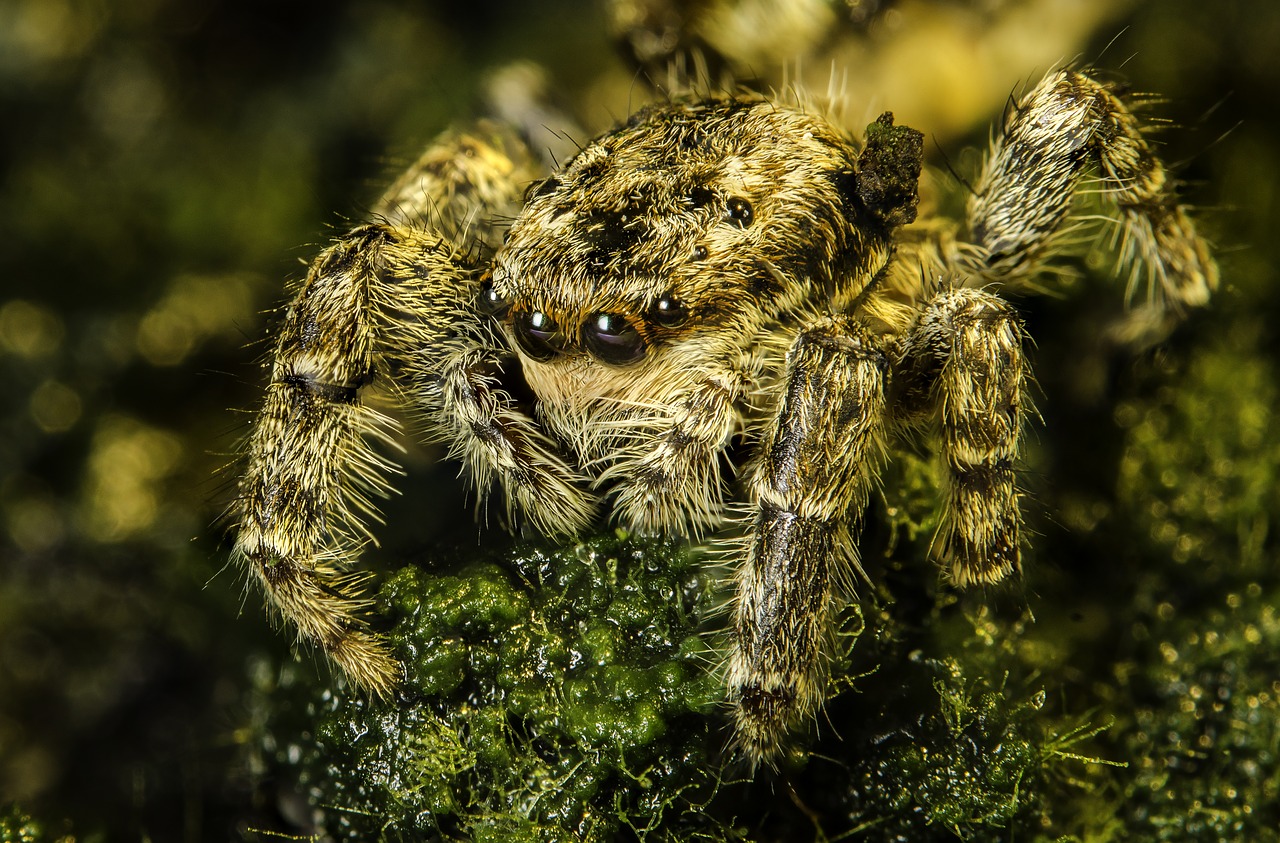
[660, 268]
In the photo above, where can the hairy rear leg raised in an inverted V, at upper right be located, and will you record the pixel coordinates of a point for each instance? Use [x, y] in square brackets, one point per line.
[1068, 125]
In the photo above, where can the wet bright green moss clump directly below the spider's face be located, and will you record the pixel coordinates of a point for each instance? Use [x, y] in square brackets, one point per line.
[560, 693]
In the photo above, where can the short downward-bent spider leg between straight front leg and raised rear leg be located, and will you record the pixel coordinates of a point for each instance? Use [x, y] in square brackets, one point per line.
[963, 364]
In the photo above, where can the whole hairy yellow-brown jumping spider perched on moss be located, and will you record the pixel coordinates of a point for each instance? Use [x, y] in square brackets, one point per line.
[719, 276]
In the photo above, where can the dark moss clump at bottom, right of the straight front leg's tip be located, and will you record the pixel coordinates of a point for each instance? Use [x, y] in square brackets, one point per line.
[954, 748]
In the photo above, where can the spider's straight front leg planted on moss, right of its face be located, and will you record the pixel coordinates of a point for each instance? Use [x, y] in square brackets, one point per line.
[810, 484]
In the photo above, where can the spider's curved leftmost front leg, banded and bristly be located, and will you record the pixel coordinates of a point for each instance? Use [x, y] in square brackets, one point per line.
[313, 469]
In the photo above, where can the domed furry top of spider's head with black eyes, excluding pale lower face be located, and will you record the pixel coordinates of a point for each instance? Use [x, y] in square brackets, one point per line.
[694, 228]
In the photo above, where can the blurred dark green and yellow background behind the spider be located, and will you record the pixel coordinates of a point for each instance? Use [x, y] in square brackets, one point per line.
[167, 164]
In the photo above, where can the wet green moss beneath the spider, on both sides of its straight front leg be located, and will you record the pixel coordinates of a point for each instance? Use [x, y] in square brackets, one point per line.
[573, 695]
